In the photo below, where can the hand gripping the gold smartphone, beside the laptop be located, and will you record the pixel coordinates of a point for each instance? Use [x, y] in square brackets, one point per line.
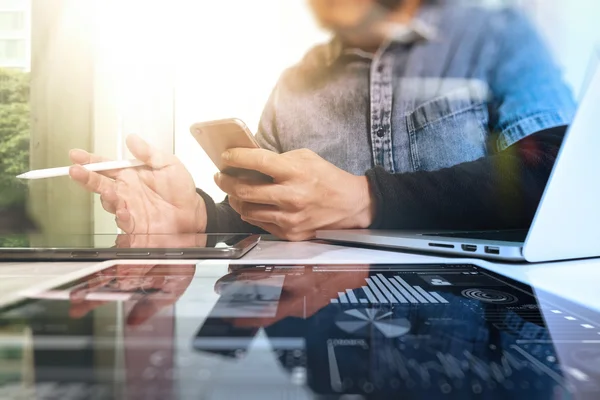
[307, 193]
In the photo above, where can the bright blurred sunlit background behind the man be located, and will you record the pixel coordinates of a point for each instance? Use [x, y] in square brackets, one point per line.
[85, 73]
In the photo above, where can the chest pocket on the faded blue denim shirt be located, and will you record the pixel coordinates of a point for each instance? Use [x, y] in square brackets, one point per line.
[448, 130]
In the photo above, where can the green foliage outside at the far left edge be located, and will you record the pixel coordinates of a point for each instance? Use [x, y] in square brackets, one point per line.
[14, 135]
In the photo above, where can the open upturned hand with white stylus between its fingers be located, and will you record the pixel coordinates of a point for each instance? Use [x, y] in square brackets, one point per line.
[158, 198]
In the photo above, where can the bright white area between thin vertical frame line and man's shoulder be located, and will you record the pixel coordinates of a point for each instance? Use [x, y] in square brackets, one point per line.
[230, 56]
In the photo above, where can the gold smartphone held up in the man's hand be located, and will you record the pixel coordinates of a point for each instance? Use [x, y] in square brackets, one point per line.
[215, 137]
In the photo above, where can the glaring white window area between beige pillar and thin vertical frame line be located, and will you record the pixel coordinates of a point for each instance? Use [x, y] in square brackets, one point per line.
[133, 80]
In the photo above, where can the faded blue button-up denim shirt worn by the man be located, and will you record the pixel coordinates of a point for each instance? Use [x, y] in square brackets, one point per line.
[463, 83]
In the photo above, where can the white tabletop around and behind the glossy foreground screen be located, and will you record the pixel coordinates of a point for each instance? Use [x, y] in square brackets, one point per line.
[577, 280]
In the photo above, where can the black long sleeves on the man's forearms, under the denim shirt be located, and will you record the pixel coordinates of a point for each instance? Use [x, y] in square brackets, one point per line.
[501, 191]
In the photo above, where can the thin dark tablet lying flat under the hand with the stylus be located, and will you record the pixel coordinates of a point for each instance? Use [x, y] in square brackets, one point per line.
[114, 246]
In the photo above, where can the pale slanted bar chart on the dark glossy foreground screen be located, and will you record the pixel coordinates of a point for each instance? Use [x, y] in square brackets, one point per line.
[383, 290]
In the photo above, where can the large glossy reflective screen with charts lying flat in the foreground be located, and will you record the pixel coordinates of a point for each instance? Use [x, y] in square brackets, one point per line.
[298, 332]
